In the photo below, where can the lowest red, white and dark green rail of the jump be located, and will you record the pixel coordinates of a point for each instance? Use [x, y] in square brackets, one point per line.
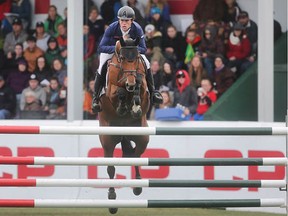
[64, 203]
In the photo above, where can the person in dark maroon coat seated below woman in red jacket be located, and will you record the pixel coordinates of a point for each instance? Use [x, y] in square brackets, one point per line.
[223, 77]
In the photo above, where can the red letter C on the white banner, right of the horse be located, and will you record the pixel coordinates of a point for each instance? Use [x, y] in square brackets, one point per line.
[209, 171]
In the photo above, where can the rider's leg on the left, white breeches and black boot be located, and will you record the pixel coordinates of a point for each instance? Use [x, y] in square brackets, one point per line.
[99, 82]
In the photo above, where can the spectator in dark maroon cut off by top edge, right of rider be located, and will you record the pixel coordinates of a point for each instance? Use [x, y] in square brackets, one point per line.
[209, 10]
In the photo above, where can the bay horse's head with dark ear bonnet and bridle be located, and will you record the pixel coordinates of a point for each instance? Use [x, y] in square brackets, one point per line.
[128, 56]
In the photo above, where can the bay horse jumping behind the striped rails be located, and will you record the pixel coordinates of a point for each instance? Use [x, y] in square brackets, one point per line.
[125, 103]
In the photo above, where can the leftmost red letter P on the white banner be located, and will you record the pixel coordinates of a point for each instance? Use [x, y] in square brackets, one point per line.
[25, 171]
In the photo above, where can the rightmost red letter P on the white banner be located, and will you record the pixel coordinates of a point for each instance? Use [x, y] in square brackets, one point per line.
[255, 174]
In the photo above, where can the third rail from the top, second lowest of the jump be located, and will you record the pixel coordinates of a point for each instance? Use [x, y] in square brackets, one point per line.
[140, 183]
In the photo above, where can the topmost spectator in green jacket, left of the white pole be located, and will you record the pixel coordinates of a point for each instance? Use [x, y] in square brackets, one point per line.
[52, 21]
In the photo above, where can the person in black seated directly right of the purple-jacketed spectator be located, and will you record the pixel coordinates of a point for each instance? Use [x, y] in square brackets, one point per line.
[43, 71]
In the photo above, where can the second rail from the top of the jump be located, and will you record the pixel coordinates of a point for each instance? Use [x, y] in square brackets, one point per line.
[100, 161]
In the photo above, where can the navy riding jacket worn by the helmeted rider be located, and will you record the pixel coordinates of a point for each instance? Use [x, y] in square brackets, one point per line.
[113, 34]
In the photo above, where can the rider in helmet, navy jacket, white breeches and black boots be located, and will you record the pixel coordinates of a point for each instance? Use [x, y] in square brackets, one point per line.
[125, 27]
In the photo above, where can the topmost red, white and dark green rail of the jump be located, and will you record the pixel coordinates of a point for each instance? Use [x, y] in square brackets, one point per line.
[94, 130]
